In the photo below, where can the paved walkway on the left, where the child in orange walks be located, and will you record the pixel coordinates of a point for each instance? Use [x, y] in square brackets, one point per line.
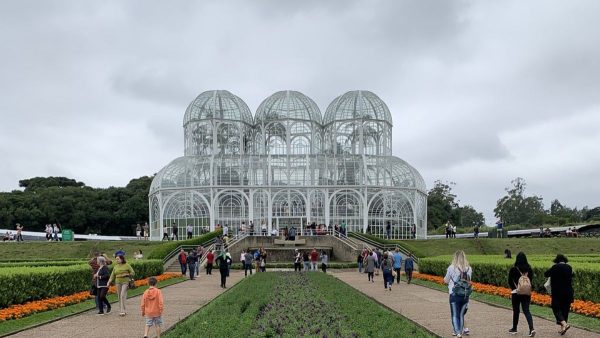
[180, 299]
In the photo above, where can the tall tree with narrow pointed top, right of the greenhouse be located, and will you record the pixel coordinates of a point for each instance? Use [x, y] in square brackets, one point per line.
[516, 208]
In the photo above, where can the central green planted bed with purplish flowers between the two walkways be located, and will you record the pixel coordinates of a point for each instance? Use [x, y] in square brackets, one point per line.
[288, 304]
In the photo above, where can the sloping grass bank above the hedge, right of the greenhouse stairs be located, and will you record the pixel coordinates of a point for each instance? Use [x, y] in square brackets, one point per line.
[496, 246]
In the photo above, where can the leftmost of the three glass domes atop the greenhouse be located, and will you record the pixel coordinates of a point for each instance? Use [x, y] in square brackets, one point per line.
[218, 104]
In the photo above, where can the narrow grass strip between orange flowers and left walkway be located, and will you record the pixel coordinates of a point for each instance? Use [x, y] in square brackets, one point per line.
[11, 326]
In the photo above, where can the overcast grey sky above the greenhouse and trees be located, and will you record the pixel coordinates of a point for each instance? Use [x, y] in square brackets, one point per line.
[481, 92]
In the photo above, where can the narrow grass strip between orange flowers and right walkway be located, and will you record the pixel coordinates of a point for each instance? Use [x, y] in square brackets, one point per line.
[589, 323]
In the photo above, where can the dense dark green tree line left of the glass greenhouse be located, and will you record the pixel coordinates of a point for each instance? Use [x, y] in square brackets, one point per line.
[76, 206]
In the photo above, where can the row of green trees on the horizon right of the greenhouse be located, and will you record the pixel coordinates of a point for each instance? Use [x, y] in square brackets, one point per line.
[514, 208]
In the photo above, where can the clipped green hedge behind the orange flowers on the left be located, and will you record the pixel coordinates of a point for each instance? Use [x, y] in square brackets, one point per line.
[23, 284]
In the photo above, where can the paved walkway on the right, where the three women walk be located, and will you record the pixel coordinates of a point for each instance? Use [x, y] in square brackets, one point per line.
[430, 309]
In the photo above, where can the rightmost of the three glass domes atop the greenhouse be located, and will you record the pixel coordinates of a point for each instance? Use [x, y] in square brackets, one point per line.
[357, 104]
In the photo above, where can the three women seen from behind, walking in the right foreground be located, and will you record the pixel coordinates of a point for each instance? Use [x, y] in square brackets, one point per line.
[520, 276]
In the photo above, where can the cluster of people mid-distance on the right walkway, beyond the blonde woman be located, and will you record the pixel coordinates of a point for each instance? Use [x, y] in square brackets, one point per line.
[390, 264]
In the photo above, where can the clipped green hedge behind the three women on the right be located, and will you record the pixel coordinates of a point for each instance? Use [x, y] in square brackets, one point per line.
[494, 270]
